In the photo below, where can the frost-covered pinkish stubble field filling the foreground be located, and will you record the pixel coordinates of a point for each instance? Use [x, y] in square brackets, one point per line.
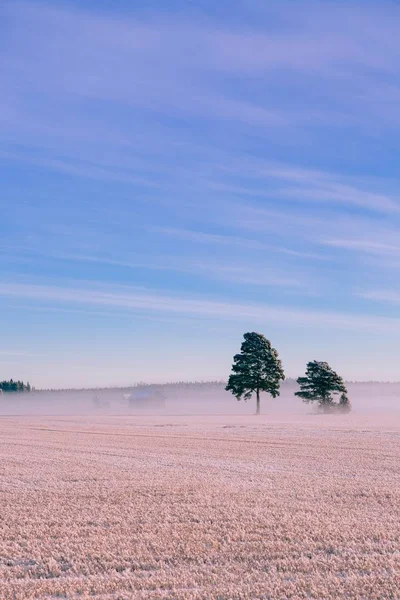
[188, 507]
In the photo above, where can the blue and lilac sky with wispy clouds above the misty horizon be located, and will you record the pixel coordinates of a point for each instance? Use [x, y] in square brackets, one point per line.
[174, 174]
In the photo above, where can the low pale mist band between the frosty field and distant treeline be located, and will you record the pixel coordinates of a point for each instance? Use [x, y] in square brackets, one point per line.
[193, 399]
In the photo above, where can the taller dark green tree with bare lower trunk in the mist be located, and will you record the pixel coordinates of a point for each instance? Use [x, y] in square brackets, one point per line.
[256, 369]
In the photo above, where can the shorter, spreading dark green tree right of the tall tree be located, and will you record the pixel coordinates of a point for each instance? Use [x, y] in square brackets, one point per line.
[323, 385]
